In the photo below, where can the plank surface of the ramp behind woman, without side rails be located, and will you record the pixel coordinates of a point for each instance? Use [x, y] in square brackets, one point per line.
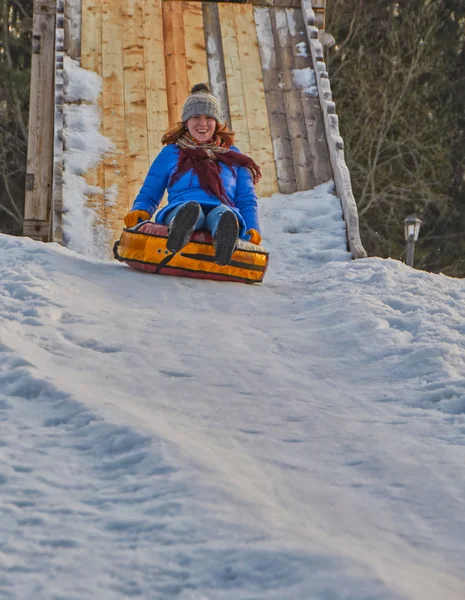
[151, 52]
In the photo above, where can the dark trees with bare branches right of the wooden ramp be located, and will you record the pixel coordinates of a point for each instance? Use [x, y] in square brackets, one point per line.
[397, 74]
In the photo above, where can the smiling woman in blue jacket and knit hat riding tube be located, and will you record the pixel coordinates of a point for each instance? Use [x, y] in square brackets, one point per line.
[210, 183]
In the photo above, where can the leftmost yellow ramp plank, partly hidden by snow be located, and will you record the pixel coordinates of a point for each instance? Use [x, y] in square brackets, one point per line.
[91, 58]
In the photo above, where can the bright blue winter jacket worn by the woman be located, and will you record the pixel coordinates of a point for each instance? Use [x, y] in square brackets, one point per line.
[237, 182]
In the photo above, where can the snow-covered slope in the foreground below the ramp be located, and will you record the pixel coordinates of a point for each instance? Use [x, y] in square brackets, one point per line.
[167, 438]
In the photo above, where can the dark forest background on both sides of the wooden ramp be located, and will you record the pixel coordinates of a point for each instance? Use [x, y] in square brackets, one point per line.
[397, 73]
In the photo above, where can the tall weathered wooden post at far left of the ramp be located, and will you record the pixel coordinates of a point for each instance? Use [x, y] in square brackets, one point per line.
[38, 199]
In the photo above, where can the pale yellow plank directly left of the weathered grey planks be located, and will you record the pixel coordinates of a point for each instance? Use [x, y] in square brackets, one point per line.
[257, 117]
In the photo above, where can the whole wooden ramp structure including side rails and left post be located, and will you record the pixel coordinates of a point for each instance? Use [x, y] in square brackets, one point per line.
[261, 58]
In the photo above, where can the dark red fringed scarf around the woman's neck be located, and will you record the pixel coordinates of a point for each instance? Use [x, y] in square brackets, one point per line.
[203, 159]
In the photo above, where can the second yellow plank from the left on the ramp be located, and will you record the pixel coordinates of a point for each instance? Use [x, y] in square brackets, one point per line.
[113, 112]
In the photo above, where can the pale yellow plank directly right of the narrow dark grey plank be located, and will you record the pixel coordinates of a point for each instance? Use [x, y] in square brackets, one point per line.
[232, 65]
